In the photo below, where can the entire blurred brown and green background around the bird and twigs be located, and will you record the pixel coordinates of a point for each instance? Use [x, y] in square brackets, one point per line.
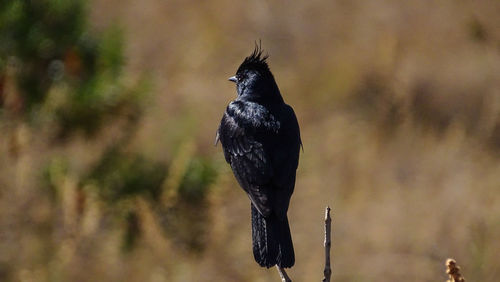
[108, 113]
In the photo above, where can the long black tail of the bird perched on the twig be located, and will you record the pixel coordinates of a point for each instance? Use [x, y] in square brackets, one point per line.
[272, 241]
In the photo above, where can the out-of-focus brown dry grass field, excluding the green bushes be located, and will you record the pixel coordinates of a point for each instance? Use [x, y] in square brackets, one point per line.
[399, 108]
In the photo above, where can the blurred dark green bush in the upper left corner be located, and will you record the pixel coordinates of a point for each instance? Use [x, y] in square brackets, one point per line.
[62, 72]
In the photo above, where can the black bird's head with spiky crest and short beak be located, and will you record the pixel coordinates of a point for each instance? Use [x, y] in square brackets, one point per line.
[254, 80]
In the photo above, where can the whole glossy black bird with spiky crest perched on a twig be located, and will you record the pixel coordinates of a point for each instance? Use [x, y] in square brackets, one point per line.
[260, 138]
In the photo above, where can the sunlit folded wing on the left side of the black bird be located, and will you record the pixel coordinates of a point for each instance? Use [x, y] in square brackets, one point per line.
[243, 133]
